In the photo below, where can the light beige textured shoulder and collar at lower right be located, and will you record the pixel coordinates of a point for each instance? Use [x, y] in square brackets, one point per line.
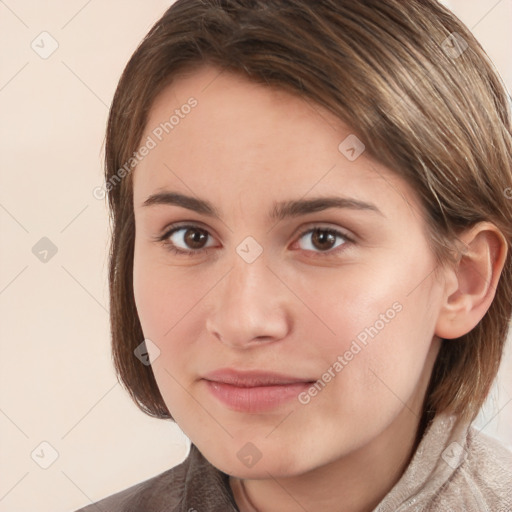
[455, 467]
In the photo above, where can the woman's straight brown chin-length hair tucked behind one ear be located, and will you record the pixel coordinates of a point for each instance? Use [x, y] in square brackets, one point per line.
[408, 78]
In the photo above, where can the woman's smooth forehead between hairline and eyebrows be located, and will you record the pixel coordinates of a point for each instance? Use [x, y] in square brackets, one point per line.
[245, 139]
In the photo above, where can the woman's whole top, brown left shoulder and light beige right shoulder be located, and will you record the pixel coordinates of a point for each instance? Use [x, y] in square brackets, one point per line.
[452, 470]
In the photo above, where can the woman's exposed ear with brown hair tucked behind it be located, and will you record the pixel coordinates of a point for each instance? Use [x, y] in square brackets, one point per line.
[470, 284]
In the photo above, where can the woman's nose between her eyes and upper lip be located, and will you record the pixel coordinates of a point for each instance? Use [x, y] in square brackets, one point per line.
[249, 306]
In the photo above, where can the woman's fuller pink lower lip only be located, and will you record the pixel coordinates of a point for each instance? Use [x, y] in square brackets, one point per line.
[256, 399]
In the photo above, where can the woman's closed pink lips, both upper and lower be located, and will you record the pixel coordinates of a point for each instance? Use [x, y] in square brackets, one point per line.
[254, 391]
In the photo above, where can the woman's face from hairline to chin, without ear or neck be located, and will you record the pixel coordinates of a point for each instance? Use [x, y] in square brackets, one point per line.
[262, 245]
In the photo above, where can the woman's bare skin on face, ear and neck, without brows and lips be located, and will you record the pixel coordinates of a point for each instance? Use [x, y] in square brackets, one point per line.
[298, 306]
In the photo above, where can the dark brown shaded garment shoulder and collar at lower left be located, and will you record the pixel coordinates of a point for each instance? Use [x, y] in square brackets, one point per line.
[195, 484]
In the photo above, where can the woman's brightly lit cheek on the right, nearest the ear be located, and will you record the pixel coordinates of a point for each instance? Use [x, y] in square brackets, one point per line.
[382, 321]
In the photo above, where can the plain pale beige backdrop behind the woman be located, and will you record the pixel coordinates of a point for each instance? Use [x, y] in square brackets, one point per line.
[56, 379]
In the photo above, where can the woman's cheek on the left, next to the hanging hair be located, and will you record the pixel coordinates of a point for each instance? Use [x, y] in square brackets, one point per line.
[169, 301]
